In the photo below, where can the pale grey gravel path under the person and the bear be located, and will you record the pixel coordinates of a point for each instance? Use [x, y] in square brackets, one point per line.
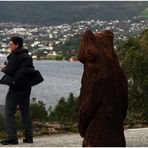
[134, 138]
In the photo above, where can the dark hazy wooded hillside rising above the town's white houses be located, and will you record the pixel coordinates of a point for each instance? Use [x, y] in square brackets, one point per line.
[58, 12]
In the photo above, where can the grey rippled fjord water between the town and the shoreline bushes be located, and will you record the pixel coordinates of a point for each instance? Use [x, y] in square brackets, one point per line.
[60, 79]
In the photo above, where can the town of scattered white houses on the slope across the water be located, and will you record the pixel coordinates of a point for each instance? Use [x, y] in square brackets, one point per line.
[42, 39]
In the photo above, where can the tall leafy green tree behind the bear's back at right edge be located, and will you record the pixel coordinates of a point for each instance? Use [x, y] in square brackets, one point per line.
[134, 61]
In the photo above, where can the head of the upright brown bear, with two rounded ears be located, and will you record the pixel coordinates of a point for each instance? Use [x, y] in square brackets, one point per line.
[96, 46]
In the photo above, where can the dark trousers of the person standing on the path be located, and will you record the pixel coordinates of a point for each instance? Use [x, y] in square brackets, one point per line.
[16, 98]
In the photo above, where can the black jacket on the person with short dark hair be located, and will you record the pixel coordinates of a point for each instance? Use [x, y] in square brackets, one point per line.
[17, 60]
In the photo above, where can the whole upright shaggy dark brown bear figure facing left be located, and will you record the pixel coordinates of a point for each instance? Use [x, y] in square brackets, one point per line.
[103, 94]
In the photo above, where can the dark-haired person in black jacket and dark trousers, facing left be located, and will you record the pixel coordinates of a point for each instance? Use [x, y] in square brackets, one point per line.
[17, 96]
